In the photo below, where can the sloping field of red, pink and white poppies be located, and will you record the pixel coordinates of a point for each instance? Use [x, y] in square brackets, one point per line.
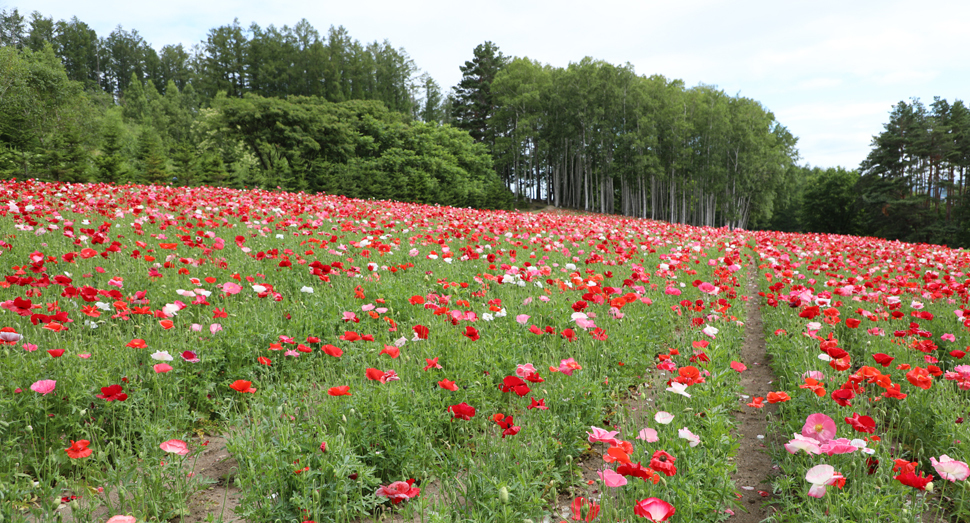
[372, 360]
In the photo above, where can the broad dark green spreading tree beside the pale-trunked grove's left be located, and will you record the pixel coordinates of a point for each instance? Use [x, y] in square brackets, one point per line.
[359, 149]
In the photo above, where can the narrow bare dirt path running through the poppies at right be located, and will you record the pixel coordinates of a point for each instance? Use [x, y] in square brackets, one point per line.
[753, 462]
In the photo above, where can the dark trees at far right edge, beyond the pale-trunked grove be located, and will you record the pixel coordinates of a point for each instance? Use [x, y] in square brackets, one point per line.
[912, 186]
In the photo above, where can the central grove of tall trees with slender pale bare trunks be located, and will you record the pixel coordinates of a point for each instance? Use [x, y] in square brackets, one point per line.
[599, 137]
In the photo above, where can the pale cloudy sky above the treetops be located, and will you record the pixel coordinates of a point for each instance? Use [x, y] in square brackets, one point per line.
[830, 71]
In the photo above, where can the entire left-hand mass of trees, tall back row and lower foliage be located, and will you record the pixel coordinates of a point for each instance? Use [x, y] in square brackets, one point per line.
[355, 129]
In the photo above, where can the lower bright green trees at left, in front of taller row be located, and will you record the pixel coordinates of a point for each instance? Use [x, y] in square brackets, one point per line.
[51, 127]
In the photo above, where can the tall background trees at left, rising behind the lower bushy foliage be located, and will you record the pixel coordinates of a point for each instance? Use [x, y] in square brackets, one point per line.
[270, 61]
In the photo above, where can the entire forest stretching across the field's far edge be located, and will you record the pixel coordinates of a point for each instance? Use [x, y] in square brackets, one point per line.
[302, 110]
